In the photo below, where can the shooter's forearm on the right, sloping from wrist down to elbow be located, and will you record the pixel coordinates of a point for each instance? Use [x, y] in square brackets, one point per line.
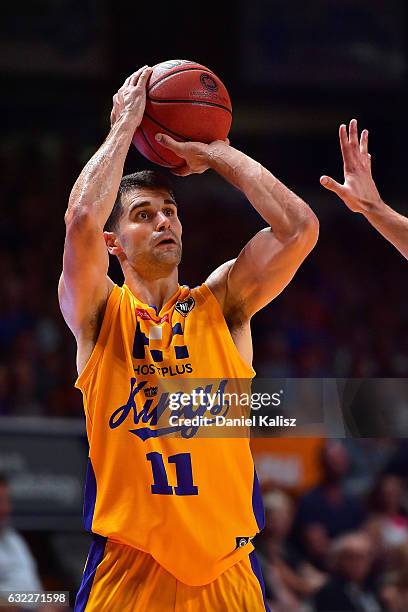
[286, 213]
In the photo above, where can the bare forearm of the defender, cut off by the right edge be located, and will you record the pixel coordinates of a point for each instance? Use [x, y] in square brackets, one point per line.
[391, 224]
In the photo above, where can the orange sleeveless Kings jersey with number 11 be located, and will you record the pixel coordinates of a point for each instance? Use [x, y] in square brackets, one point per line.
[185, 495]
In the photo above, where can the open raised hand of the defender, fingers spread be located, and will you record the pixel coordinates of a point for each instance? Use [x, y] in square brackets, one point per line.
[359, 191]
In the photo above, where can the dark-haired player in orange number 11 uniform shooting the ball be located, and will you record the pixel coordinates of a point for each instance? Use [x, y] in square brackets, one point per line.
[172, 516]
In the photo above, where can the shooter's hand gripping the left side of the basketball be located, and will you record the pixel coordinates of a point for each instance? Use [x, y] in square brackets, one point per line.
[130, 100]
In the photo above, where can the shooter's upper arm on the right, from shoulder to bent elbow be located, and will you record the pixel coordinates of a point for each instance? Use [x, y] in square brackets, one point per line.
[263, 269]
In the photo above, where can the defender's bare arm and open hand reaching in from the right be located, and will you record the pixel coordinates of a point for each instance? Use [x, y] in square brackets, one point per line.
[359, 191]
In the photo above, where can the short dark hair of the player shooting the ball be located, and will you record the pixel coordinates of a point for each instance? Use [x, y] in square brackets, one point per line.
[150, 179]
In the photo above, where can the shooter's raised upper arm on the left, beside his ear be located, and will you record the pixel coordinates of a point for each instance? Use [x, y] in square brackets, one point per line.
[84, 286]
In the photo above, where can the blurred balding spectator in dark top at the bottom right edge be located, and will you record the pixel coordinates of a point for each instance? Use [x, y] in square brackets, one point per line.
[350, 562]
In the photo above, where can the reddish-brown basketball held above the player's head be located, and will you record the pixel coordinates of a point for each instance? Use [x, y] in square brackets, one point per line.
[188, 102]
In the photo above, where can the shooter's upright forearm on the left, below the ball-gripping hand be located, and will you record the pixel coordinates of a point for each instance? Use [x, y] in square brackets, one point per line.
[95, 190]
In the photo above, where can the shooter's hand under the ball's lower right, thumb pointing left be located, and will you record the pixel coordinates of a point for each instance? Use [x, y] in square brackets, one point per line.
[195, 154]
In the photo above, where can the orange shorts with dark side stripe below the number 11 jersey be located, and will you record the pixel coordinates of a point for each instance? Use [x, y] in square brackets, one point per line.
[120, 578]
